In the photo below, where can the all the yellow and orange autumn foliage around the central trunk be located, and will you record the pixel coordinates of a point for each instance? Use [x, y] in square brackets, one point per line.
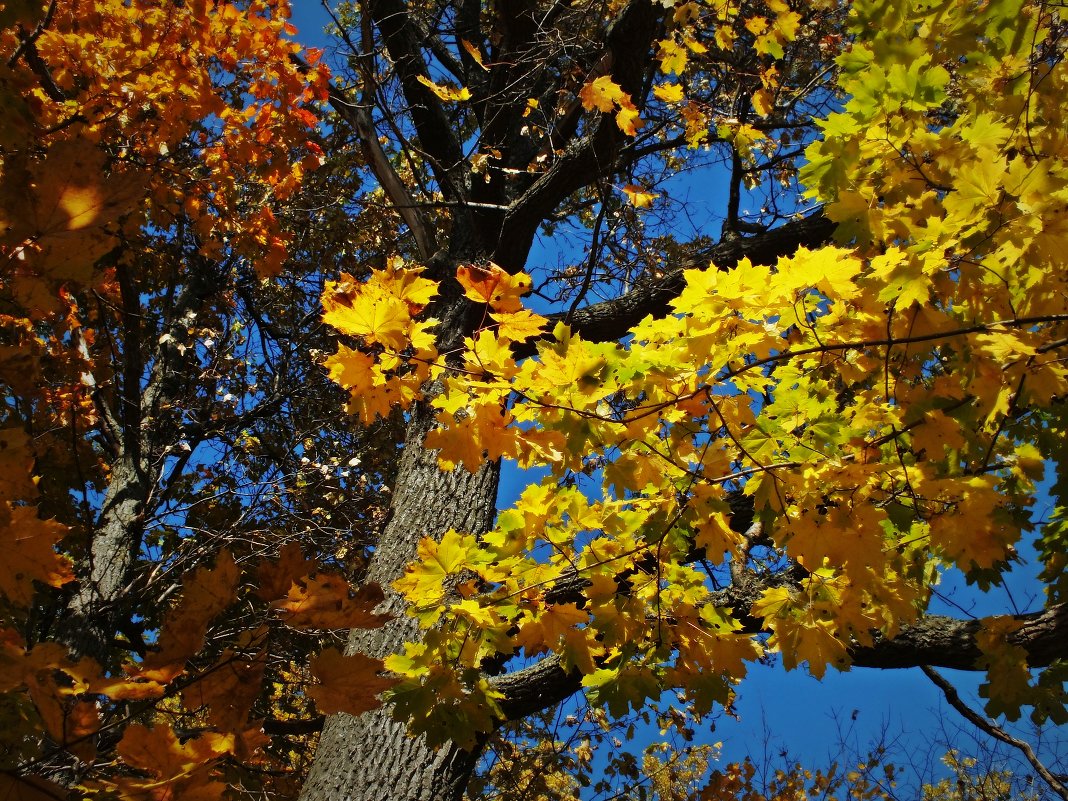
[859, 417]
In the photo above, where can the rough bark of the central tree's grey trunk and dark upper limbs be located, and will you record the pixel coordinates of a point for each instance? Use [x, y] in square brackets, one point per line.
[372, 757]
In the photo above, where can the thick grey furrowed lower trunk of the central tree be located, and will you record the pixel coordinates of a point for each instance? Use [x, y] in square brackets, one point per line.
[372, 758]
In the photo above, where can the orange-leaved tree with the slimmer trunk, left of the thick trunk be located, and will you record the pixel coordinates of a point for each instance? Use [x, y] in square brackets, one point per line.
[161, 399]
